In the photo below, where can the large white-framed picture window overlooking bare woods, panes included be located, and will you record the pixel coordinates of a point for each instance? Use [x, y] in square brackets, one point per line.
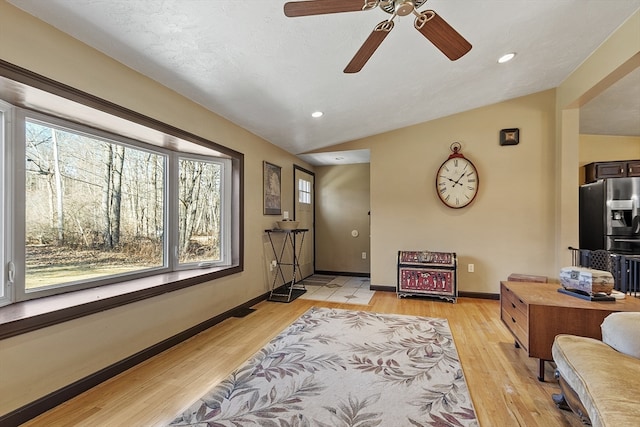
[89, 207]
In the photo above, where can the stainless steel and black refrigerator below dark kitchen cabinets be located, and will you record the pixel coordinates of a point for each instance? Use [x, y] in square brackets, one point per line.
[608, 217]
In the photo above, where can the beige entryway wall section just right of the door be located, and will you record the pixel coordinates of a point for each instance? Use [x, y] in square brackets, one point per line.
[342, 205]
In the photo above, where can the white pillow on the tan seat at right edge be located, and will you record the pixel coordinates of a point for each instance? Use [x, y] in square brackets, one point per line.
[622, 332]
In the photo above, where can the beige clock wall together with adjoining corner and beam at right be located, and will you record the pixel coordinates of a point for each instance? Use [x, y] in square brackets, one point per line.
[527, 209]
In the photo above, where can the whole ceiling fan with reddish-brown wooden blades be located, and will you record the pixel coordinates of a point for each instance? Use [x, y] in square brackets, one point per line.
[428, 23]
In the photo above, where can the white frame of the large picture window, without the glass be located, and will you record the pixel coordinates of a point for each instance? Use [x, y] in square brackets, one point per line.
[15, 197]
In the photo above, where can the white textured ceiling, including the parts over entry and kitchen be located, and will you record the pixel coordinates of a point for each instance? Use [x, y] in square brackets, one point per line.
[246, 61]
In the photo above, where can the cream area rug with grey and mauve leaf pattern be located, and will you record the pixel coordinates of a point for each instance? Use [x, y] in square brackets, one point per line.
[336, 368]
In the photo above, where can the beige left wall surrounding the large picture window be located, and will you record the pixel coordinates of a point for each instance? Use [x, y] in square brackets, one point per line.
[35, 364]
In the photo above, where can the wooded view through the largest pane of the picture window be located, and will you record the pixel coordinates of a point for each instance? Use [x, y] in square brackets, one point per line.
[94, 208]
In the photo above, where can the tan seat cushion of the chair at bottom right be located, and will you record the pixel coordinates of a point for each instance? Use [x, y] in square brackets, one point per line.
[605, 380]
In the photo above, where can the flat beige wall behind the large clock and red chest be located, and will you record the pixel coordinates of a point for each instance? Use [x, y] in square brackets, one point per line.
[508, 228]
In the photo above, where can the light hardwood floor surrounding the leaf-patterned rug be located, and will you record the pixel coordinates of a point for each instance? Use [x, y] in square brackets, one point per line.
[501, 378]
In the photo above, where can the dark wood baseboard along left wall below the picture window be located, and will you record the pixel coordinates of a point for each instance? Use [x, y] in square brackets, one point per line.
[35, 408]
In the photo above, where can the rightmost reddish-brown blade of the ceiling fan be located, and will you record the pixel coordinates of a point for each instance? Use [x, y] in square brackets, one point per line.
[442, 35]
